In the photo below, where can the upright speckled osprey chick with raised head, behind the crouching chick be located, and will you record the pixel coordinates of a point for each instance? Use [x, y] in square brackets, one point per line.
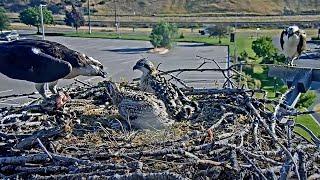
[178, 105]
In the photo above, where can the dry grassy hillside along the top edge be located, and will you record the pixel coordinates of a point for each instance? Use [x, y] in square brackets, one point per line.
[149, 7]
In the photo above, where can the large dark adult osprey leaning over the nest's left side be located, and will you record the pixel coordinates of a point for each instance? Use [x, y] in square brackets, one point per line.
[45, 62]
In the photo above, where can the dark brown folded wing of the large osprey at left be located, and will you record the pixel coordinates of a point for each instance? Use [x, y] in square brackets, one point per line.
[30, 64]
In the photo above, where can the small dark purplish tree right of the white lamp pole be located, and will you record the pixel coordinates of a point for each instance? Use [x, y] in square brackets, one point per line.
[74, 18]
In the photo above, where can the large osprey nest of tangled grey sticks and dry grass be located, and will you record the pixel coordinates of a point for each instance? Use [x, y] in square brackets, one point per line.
[236, 135]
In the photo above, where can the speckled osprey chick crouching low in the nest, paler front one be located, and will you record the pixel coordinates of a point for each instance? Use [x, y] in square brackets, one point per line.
[141, 109]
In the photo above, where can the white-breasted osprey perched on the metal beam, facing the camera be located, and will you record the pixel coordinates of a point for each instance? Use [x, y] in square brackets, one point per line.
[293, 42]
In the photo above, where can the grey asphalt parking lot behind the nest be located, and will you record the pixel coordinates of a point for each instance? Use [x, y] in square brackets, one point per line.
[119, 56]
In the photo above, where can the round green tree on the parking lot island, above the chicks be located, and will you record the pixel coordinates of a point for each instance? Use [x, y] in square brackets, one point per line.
[163, 34]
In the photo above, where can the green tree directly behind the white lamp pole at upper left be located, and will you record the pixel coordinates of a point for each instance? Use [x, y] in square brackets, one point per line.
[32, 17]
